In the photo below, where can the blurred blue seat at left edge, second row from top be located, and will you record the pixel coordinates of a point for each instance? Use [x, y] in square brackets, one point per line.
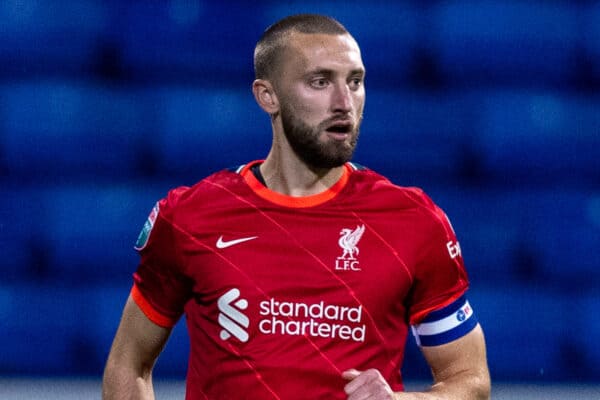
[62, 129]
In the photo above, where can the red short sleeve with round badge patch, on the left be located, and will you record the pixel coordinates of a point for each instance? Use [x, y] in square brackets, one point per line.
[161, 289]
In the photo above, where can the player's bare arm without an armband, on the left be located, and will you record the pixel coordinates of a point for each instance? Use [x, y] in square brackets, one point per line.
[137, 344]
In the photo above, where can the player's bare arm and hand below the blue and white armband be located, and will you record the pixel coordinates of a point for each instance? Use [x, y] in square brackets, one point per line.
[459, 371]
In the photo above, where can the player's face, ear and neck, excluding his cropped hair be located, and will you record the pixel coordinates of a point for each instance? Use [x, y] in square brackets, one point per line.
[319, 84]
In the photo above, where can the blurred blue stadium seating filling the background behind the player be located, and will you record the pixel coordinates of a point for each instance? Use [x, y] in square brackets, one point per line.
[492, 107]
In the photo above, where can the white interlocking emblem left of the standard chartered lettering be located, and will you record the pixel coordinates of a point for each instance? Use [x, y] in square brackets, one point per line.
[231, 319]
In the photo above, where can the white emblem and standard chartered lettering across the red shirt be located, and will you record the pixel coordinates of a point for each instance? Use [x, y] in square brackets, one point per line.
[291, 319]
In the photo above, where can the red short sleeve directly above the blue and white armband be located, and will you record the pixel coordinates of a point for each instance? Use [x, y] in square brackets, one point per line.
[440, 277]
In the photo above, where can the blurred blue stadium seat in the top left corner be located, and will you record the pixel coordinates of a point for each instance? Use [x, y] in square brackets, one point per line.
[50, 37]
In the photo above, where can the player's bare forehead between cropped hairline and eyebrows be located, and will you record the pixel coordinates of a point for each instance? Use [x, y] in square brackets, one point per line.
[308, 51]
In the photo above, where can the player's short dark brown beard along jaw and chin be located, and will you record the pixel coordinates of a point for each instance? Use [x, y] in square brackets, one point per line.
[305, 141]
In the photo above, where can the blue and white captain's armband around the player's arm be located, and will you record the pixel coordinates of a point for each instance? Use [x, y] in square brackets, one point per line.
[445, 325]
